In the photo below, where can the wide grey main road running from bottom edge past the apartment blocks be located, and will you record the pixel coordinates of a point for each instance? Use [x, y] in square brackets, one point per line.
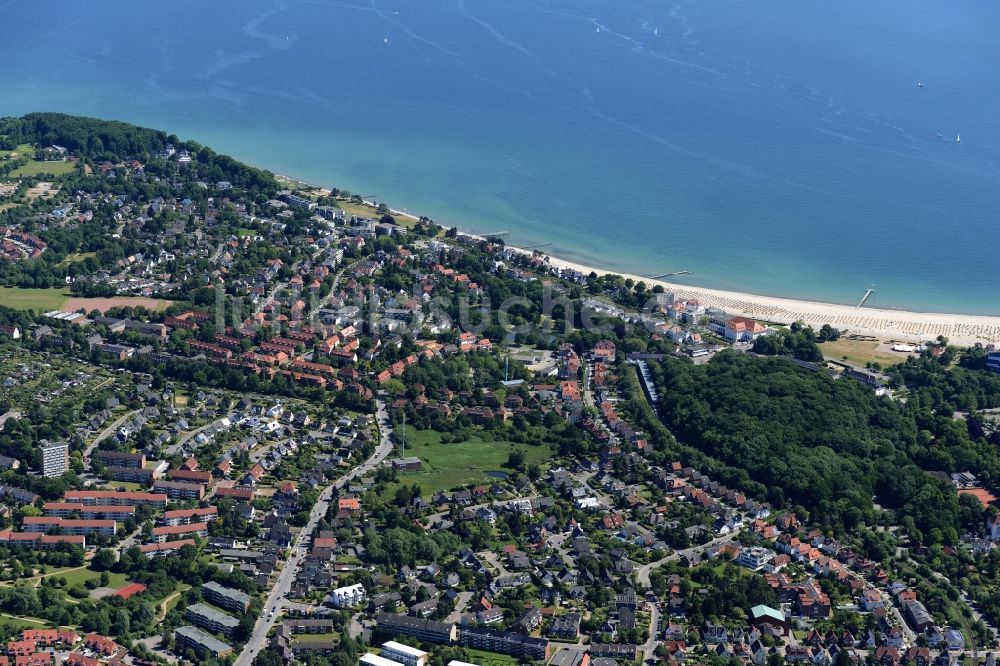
[276, 600]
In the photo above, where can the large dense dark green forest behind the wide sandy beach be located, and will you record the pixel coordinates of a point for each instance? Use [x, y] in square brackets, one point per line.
[832, 446]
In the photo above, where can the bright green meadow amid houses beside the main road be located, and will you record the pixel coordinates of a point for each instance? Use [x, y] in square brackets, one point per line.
[447, 466]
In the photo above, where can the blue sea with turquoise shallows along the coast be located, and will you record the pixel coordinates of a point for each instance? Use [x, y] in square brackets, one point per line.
[773, 146]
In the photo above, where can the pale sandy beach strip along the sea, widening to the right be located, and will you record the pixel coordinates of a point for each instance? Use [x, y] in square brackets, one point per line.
[903, 325]
